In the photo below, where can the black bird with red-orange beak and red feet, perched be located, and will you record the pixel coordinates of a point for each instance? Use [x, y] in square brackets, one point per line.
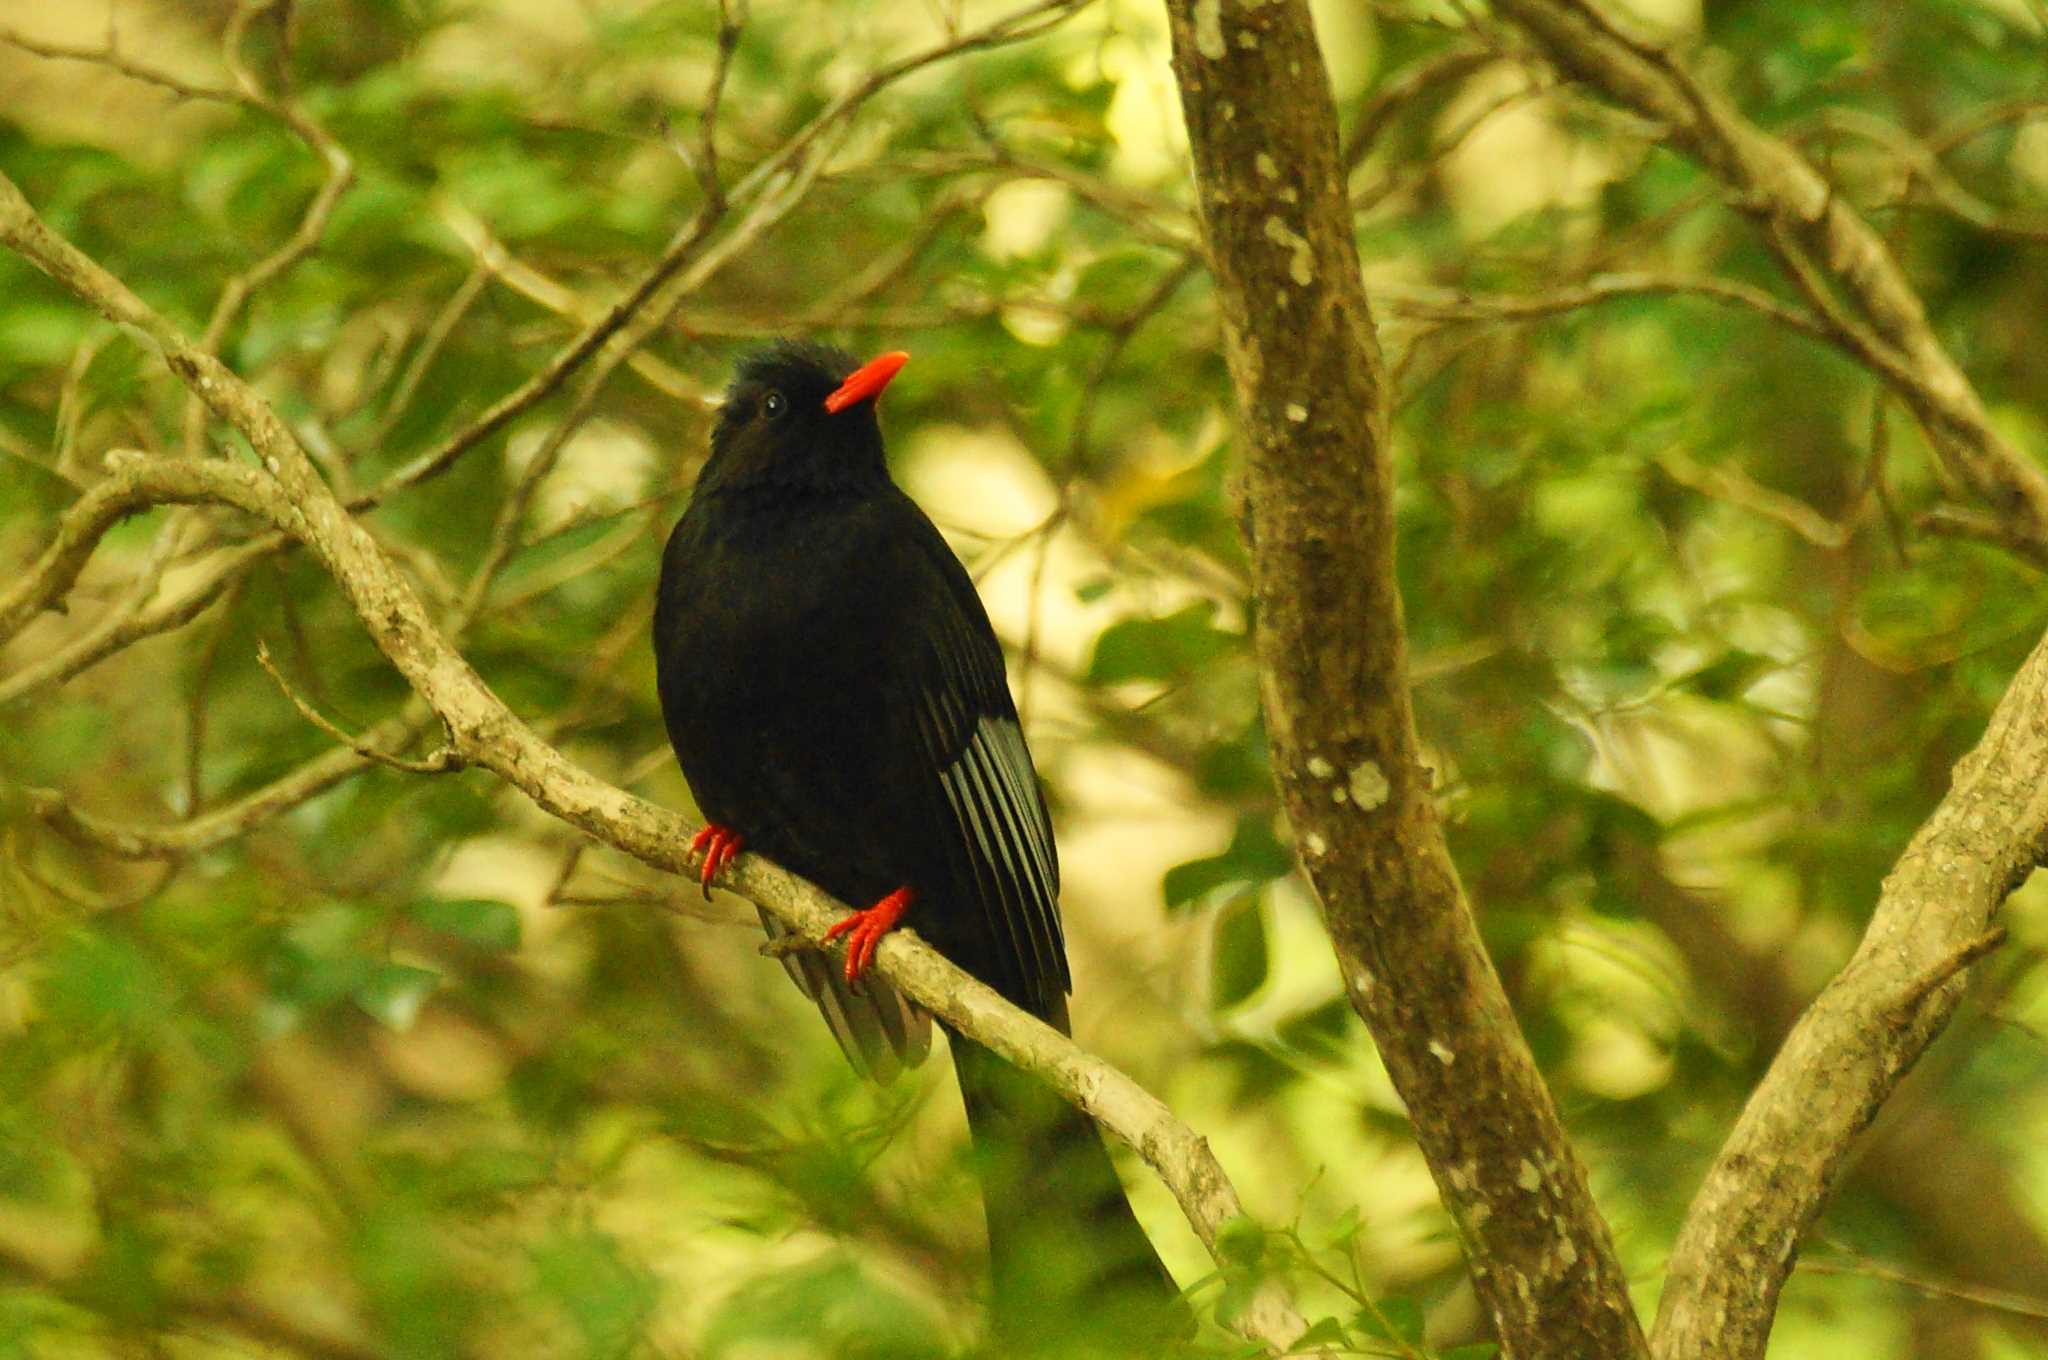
[837, 699]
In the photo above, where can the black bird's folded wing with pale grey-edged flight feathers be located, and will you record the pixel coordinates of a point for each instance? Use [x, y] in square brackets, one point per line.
[1000, 849]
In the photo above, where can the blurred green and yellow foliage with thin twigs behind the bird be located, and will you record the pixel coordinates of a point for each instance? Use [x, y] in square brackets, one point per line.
[394, 1066]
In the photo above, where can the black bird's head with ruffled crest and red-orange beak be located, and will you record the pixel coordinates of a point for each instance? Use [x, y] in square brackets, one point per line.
[802, 415]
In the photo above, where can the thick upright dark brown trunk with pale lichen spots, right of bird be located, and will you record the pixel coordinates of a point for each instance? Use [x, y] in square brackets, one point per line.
[1312, 400]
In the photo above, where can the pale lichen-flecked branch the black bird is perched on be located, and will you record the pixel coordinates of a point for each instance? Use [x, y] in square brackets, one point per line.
[290, 495]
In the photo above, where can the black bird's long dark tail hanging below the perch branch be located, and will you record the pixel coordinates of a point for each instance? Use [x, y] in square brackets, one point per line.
[1074, 1273]
